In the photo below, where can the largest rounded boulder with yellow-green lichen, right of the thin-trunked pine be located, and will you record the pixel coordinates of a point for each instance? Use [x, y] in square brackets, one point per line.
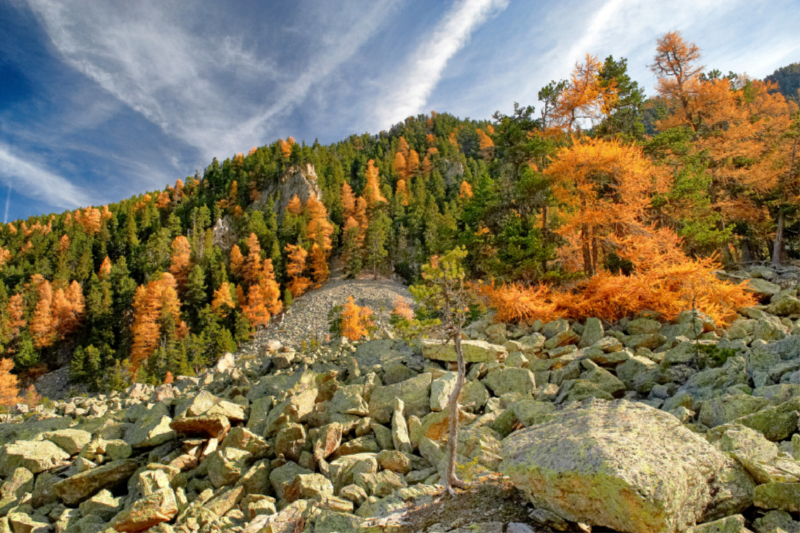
[622, 465]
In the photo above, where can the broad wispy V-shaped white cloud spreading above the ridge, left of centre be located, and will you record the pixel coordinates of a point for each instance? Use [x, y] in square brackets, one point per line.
[212, 90]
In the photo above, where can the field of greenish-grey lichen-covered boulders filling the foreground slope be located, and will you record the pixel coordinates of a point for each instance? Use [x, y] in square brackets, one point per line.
[640, 426]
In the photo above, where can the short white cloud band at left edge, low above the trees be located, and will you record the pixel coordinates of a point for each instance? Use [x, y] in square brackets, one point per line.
[37, 182]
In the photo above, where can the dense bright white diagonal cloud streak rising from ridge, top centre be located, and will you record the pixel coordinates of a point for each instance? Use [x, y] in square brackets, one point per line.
[426, 65]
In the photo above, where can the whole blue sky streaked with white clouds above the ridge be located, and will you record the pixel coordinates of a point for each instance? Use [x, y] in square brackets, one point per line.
[103, 100]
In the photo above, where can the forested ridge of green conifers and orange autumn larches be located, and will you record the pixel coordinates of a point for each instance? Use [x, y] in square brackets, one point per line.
[601, 201]
